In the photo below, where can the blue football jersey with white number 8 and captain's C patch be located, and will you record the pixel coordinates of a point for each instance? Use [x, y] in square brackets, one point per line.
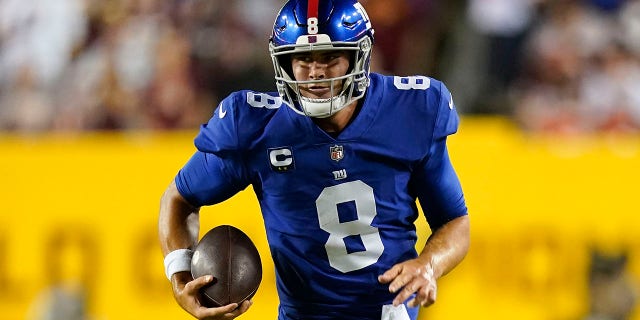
[338, 211]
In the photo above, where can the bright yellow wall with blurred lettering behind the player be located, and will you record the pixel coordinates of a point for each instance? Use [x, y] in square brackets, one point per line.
[83, 209]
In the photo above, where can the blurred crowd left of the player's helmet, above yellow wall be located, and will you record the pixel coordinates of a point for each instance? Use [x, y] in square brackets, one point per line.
[127, 64]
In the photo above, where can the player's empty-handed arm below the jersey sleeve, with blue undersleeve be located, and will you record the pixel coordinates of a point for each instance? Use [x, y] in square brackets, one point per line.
[443, 203]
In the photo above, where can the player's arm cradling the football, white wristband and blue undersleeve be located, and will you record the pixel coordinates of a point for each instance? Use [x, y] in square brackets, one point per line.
[200, 182]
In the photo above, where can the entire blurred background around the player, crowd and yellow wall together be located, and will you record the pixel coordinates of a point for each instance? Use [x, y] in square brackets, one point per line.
[100, 100]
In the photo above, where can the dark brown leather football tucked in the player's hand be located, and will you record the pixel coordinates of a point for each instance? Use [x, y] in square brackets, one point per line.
[229, 255]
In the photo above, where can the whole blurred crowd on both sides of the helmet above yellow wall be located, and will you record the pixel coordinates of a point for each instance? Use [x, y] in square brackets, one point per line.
[551, 65]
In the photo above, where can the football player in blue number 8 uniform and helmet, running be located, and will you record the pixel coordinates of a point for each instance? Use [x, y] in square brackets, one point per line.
[337, 158]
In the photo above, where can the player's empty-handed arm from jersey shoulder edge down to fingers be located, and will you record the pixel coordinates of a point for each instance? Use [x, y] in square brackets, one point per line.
[442, 201]
